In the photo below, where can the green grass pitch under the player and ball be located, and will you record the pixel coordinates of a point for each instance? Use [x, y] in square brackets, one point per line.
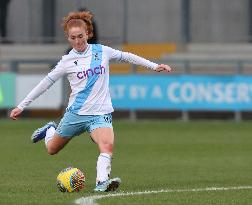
[148, 155]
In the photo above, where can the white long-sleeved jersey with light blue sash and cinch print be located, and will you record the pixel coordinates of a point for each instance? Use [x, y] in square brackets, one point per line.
[88, 75]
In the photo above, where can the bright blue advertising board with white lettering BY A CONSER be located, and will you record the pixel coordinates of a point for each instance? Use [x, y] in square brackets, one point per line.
[181, 92]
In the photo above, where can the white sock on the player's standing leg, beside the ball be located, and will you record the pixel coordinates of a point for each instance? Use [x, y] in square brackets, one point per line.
[103, 167]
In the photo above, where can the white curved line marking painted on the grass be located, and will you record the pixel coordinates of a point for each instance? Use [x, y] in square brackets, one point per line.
[91, 200]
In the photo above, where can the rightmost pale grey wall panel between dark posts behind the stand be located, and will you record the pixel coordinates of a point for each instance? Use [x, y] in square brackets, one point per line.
[219, 20]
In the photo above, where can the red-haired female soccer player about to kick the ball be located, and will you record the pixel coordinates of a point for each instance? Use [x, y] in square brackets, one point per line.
[89, 108]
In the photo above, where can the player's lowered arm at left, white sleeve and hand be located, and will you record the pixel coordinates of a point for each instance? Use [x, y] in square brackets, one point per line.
[44, 85]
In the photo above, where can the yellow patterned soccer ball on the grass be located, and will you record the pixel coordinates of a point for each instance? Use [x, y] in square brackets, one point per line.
[70, 180]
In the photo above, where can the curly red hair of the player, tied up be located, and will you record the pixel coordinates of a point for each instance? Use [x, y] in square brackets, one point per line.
[78, 19]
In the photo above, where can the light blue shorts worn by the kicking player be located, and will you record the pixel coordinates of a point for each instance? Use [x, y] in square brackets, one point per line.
[72, 124]
